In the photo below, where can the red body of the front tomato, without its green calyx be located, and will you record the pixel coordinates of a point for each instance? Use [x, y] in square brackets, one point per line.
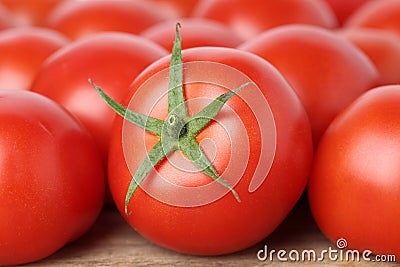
[263, 133]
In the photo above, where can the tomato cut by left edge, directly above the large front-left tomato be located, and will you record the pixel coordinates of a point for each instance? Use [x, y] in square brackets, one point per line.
[22, 52]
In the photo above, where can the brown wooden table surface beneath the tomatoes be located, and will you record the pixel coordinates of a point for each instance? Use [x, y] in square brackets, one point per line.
[112, 242]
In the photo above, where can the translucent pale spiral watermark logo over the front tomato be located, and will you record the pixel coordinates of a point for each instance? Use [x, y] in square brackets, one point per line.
[151, 99]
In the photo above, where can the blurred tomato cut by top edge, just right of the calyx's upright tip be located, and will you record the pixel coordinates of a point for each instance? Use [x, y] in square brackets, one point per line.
[249, 18]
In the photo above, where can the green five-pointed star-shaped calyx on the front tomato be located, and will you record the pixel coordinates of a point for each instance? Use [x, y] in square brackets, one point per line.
[178, 131]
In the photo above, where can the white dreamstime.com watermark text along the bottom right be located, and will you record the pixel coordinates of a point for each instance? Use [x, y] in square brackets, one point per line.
[331, 254]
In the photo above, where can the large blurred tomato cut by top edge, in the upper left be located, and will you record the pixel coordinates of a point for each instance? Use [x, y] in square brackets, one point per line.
[77, 19]
